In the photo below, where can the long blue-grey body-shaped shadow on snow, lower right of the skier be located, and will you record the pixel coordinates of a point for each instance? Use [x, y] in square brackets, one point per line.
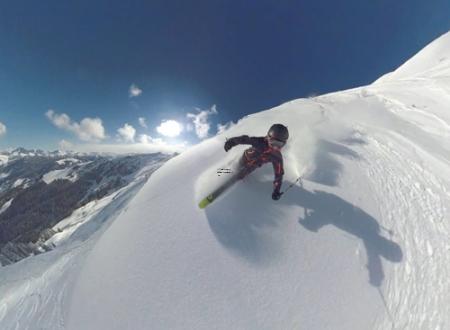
[322, 208]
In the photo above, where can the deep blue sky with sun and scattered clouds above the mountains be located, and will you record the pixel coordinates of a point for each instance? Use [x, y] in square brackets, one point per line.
[66, 69]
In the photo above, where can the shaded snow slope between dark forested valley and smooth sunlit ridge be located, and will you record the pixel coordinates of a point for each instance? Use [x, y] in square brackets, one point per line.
[34, 291]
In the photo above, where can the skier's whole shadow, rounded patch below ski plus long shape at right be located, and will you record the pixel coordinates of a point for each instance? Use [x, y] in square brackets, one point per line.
[249, 233]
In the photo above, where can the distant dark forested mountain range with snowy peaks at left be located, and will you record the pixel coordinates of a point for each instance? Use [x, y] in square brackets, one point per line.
[38, 189]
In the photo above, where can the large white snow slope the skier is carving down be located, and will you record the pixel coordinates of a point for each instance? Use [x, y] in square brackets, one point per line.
[363, 244]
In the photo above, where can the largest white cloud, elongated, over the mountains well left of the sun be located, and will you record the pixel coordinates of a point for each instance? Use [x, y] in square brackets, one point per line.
[89, 129]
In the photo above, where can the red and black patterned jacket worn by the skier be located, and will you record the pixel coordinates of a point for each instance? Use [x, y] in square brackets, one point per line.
[259, 154]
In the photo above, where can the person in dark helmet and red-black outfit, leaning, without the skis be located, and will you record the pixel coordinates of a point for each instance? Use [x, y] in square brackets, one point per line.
[263, 150]
